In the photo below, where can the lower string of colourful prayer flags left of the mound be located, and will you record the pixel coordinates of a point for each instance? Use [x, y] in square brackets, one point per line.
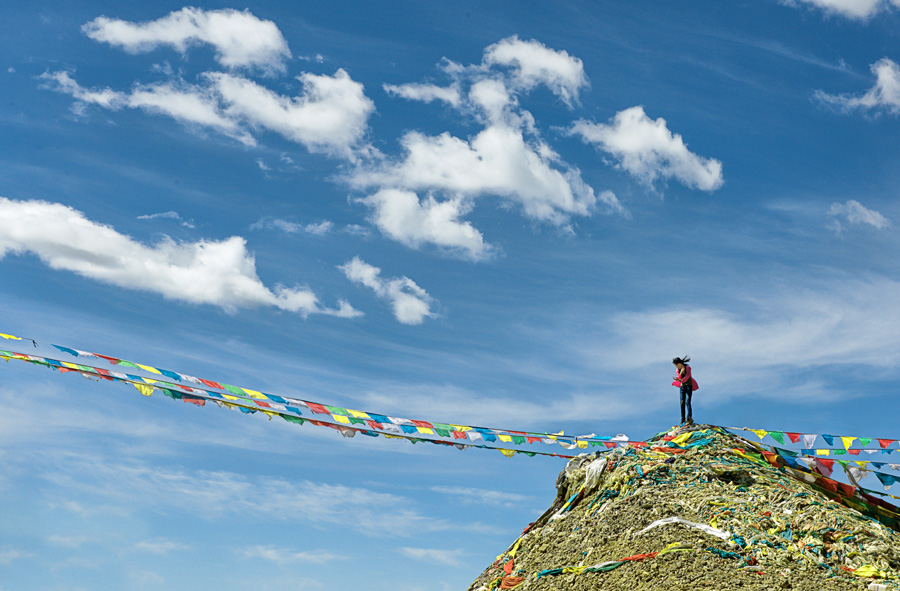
[247, 404]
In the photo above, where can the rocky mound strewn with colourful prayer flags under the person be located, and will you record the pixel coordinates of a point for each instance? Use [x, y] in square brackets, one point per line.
[700, 508]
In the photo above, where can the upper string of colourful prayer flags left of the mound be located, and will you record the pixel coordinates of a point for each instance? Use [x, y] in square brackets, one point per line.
[377, 421]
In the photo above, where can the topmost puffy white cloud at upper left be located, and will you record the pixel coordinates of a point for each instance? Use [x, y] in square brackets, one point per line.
[240, 39]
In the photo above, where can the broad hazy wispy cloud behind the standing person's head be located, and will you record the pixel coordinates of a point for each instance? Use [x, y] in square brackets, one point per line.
[841, 324]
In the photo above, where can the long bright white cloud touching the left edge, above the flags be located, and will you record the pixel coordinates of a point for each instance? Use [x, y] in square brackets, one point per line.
[221, 273]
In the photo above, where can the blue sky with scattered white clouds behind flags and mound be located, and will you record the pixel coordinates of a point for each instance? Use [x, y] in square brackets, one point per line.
[511, 215]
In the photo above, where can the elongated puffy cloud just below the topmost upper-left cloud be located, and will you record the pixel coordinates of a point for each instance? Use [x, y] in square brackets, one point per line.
[329, 116]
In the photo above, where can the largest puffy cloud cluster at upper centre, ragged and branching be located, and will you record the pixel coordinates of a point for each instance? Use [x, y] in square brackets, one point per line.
[422, 195]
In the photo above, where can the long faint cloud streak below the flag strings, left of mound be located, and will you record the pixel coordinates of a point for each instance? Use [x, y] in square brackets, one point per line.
[218, 493]
